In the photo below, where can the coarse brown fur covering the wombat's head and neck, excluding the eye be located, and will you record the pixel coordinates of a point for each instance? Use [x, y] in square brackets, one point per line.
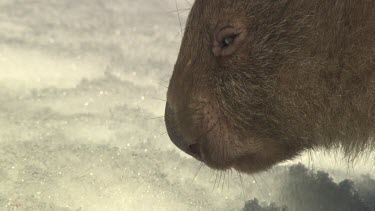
[303, 79]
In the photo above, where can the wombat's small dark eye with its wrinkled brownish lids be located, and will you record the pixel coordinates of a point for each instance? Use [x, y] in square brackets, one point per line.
[227, 40]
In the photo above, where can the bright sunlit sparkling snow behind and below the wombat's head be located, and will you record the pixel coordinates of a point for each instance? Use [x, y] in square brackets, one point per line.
[80, 83]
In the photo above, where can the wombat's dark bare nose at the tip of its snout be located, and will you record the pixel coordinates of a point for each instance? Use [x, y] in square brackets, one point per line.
[177, 138]
